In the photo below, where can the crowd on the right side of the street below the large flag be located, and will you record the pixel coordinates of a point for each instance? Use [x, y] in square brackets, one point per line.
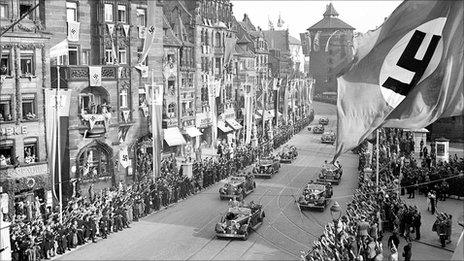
[373, 210]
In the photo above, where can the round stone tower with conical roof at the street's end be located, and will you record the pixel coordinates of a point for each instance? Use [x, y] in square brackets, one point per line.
[324, 61]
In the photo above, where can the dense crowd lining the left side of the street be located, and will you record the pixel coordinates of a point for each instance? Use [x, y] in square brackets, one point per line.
[38, 234]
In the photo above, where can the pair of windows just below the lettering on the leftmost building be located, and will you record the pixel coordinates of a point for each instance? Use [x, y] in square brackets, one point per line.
[8, 153]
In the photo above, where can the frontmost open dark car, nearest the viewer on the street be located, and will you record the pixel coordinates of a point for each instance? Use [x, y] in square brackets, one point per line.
[239, 221]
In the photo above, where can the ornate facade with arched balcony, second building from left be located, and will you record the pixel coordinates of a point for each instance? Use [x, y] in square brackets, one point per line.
[108, 123]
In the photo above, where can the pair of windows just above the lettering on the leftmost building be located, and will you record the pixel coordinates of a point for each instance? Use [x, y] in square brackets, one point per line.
[28, 104]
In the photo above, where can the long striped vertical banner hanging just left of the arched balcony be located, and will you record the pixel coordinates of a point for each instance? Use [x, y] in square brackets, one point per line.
[51, 113]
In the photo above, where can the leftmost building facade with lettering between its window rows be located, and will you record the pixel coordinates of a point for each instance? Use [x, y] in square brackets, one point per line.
[24, 73]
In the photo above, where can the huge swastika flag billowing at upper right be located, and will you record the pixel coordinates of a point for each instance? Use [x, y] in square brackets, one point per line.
[408, 73]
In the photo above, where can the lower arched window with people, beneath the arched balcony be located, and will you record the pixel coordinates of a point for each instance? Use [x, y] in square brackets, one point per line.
[94, 162]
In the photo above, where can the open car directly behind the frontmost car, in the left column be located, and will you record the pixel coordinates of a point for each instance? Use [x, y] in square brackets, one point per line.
[237, 187]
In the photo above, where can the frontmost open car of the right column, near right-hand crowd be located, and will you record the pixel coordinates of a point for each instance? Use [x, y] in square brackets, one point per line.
[316, 195]
